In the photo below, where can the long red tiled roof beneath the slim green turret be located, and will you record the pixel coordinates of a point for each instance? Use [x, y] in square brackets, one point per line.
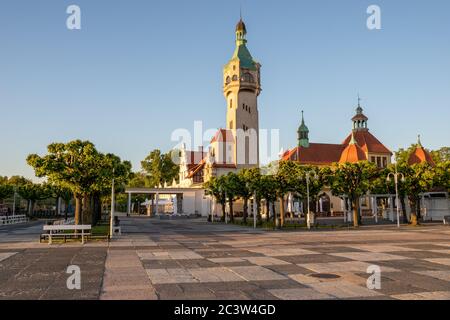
[316, 153]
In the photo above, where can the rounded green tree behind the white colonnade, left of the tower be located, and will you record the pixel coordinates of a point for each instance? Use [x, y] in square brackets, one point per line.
[160, 168]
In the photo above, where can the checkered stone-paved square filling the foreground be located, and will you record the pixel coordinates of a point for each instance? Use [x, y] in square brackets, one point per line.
[191, 260]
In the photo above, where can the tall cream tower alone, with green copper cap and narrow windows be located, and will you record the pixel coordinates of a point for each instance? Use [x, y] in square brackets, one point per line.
[241, 88]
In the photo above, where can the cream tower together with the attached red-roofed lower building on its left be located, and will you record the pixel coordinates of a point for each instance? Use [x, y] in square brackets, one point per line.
[237, 145]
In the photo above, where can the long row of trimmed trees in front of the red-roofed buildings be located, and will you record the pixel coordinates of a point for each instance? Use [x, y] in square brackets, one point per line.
[350, 180]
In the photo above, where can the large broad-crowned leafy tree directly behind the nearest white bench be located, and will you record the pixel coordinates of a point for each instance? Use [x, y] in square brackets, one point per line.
[79, 169]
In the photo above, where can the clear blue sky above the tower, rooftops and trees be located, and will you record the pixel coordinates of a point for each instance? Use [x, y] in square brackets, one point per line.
[140, 69]
